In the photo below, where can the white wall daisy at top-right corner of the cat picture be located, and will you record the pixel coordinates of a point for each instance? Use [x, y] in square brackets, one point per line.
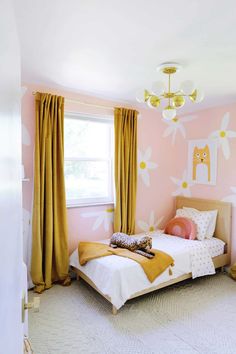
[223, 135]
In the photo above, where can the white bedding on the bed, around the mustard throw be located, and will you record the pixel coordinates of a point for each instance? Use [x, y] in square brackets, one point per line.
[120, 278]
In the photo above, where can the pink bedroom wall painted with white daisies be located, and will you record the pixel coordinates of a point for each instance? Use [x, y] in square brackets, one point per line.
[164, 158]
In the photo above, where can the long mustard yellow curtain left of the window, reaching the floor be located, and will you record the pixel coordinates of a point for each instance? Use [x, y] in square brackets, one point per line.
[50, 258]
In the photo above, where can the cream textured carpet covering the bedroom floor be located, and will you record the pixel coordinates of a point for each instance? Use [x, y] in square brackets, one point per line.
[196, 317]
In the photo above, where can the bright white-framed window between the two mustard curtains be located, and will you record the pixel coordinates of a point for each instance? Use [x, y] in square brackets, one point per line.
[88, 159]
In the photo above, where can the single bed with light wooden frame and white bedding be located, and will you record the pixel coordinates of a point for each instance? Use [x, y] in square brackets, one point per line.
[120, 279]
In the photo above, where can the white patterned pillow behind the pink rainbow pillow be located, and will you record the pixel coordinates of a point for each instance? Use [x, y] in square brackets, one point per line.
[201, 220]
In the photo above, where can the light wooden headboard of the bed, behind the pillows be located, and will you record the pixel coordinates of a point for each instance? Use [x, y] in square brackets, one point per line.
[223, 223]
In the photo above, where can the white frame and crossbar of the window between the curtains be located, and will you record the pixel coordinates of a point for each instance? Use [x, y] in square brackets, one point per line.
[108, 120]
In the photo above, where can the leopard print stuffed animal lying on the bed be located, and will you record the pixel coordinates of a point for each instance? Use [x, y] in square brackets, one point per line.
[140, 246]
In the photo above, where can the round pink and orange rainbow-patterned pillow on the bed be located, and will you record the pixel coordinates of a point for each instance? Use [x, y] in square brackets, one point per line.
[181, 227]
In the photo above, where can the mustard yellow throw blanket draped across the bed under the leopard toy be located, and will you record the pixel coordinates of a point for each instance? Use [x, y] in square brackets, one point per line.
[152, 267]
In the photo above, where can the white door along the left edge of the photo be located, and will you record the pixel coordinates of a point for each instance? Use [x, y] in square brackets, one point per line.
[11, 270]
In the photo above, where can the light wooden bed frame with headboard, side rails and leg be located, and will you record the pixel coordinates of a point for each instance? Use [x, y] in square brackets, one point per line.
[222, 231]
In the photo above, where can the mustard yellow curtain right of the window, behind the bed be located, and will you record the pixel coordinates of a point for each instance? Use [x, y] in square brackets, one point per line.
[125, 126]
